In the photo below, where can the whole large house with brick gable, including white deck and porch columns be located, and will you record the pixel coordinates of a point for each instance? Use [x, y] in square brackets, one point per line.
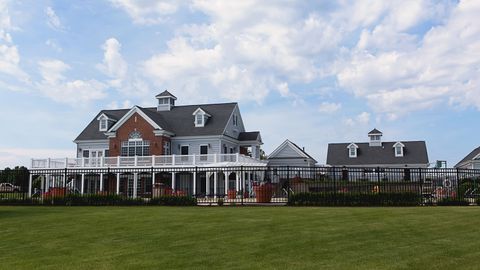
[193, 149]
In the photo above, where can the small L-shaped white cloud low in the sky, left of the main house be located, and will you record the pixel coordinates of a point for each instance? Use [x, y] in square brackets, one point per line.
[74, 92]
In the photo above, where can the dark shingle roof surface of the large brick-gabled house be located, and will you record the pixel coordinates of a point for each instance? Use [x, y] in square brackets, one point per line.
[178, 120]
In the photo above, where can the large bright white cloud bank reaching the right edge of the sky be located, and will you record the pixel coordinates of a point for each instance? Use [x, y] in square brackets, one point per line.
[440, 69]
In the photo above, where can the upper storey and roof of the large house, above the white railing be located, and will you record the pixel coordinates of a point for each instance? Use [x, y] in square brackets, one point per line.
[168, 130]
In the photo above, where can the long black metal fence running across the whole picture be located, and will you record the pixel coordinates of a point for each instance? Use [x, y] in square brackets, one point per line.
[246, 185]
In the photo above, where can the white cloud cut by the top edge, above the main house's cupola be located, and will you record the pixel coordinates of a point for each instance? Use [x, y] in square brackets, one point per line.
[146, 11]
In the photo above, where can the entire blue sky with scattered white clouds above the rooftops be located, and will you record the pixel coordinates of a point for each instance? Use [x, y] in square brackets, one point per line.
[312, 73]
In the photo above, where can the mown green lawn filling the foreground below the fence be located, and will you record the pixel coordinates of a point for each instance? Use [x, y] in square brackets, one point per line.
[239, 238]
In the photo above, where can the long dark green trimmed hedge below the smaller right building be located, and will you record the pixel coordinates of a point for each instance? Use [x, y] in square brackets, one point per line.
[354, 199]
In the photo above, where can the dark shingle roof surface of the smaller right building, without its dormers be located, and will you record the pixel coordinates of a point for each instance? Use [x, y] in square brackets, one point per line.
[415, 152]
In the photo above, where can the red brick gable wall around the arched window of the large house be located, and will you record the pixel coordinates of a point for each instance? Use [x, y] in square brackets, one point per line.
[136, 122]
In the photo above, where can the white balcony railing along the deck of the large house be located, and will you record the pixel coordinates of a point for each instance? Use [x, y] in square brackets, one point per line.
[144, 161]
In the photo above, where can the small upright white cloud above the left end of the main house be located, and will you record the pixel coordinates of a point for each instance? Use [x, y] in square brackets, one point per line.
[113, 64]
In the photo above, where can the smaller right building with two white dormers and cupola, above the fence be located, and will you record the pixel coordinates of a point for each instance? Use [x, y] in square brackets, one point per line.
[376, 153]
